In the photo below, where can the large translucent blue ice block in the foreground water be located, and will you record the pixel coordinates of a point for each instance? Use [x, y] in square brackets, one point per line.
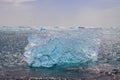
[63, 48]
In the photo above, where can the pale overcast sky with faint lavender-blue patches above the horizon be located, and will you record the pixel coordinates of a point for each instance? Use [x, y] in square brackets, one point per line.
[69, 13]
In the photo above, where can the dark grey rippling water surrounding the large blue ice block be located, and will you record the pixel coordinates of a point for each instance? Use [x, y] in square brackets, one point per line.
[12, 44]
